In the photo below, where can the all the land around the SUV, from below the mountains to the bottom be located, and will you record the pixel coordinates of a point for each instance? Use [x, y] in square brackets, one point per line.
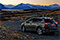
[10, 24]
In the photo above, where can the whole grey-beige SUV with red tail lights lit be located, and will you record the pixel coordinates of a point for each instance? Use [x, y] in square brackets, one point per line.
[40, 25]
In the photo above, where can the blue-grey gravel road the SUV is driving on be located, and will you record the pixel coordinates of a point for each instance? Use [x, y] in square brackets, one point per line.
[16, 25]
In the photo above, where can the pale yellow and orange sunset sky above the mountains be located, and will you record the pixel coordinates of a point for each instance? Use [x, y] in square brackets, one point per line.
[35, 2]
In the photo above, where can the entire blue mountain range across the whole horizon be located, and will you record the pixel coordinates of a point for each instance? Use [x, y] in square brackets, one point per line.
[23, 6]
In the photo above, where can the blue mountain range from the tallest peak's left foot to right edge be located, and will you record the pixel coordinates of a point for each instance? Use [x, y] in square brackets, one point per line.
[29, 6]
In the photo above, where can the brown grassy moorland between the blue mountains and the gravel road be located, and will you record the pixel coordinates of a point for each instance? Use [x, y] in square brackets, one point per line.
[21, 14]
